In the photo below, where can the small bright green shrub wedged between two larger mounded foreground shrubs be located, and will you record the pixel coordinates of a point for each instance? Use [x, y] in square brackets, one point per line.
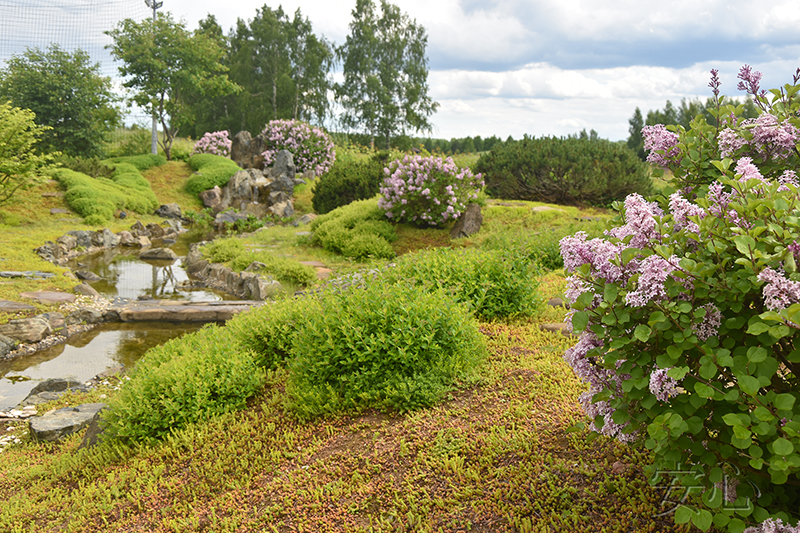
[268, 331]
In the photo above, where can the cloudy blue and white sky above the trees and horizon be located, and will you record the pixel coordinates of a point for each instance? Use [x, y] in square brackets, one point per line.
[554, 67]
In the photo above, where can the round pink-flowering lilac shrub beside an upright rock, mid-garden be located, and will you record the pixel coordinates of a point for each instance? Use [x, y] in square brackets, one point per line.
[427, 190]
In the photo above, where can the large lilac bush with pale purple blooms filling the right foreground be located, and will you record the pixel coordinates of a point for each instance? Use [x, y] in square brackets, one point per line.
[688, 311]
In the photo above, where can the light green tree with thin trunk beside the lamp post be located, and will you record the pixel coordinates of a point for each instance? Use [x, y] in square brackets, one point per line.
[168, 68]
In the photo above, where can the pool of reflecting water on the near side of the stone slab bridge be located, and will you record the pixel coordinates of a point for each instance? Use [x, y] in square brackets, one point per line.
[85, 355]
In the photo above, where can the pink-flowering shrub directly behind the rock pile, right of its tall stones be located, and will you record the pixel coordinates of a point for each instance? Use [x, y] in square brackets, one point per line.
[311, 147]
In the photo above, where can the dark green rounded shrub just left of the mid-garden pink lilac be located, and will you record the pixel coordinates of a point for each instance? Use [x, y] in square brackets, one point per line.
[349, 179]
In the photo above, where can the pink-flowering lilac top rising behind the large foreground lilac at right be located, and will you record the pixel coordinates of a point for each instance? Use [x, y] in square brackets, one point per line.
[770, 141]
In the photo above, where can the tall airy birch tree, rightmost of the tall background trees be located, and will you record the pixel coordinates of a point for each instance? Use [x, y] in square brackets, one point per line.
[385, 87]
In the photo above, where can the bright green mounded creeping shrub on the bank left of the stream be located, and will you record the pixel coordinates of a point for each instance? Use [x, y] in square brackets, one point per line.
[96, 199]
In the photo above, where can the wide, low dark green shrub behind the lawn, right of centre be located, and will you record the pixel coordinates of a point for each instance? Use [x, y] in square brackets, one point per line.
[563, 171]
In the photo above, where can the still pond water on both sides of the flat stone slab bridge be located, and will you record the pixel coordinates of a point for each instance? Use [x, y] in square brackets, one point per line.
[124, 276]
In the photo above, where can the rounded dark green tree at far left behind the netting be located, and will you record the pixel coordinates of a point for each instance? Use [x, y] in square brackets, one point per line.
[67, 93]
